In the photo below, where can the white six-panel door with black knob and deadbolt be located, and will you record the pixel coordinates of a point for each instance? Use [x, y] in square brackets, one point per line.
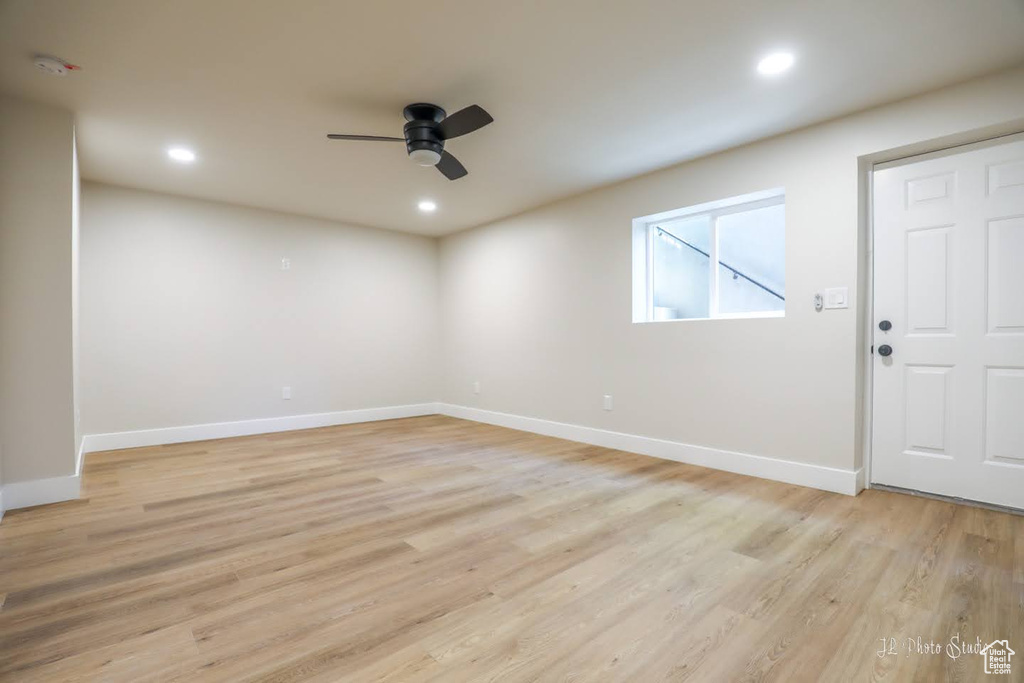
[949, 402]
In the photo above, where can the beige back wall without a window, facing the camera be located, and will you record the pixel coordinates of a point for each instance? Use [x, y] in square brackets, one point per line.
[188, 317]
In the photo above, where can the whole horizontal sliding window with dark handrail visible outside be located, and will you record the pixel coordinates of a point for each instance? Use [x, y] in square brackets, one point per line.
[720, 260]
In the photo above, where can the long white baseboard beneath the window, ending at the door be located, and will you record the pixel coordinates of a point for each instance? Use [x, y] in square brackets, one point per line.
[817, 477]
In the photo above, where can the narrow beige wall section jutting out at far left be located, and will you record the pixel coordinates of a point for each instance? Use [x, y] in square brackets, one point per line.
[37, 428]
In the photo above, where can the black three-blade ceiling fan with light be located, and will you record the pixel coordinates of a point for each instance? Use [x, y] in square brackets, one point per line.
[429, 129]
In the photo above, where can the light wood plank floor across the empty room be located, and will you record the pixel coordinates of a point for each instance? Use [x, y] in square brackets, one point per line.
[434, 549]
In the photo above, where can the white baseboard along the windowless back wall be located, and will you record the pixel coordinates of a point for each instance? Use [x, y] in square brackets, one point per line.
[162, 437]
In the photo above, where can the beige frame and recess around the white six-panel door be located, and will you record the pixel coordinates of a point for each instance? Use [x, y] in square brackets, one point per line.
[868, 165]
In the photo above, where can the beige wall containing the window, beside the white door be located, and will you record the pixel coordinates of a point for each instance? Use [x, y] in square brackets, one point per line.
[538, 308]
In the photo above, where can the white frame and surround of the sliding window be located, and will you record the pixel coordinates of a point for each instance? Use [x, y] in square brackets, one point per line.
[645, 230]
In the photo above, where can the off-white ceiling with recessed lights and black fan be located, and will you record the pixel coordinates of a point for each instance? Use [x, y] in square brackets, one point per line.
[584, 93]
